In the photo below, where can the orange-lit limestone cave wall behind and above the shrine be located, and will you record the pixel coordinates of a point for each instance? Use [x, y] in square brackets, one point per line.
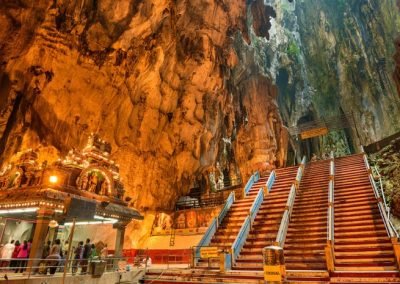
[175, 86]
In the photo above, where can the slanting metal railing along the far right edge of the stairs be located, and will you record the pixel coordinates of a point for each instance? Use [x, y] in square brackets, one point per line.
[392, 233]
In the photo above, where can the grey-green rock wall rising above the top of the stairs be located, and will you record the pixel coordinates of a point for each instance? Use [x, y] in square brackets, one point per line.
[333, 57]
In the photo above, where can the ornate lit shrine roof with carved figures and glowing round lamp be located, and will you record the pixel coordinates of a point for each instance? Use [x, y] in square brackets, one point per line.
[87, 177]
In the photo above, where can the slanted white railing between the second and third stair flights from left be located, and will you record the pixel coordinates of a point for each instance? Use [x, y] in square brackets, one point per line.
[284, 225]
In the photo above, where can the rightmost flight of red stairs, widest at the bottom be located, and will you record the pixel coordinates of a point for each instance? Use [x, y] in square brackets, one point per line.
[362, 246]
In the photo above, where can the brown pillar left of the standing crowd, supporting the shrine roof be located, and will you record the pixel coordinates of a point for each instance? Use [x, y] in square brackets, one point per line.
[44, 216]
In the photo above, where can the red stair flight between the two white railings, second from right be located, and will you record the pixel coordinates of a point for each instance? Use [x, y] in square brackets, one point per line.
[306, 236]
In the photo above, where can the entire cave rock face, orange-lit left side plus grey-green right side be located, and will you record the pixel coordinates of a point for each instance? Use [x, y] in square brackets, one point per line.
[185, 89]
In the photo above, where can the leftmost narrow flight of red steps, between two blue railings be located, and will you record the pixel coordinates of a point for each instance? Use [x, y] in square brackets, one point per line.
[231, 224]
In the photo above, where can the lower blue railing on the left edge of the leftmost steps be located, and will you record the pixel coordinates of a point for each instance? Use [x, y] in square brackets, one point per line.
[212, 229]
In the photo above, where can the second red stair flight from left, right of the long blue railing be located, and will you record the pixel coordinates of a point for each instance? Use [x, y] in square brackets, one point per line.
[266, 224]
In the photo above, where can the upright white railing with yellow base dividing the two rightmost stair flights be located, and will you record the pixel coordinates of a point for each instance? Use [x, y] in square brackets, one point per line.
[330, 239]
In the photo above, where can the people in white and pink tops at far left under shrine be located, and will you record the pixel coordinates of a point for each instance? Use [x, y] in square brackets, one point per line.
[15, 255]
